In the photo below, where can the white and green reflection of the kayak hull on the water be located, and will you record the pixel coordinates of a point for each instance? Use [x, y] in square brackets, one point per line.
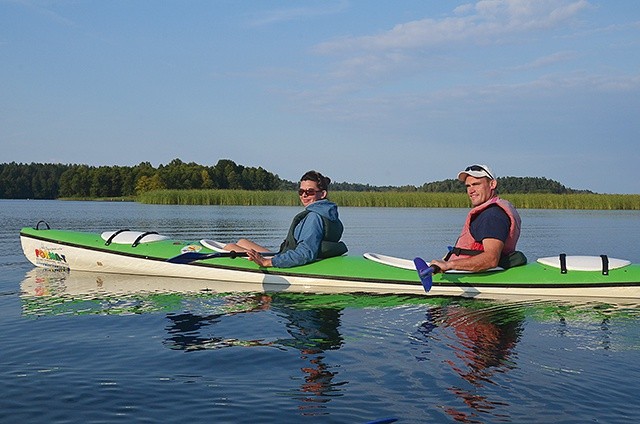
[53, 292]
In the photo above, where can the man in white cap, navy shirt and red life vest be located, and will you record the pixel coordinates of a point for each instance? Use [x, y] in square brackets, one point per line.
[491, 230]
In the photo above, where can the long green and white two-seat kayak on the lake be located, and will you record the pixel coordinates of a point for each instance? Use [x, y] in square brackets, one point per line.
[151, 254]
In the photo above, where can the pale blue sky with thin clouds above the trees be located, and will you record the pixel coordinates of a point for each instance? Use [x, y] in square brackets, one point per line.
[384, 92]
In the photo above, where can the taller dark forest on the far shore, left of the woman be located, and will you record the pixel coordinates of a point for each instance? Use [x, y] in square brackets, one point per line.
[52, 181]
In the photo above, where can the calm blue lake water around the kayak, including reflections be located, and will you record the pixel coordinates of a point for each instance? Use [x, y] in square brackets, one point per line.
[100, 349]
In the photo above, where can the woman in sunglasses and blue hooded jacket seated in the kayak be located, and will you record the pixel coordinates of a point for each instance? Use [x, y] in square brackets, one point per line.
[314, 233]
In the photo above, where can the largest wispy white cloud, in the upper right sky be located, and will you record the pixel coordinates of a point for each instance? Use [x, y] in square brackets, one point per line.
[419, 45]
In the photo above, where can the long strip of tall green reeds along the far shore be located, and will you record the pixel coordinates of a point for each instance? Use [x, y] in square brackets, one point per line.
[388, 199]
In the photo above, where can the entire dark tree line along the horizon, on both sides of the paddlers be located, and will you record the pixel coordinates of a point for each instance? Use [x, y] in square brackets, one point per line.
[52, 181]
